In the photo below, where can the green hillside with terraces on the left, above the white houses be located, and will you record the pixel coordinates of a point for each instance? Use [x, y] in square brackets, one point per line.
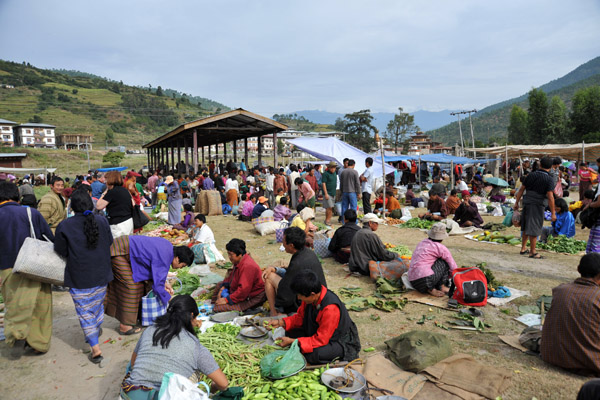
[77, 102]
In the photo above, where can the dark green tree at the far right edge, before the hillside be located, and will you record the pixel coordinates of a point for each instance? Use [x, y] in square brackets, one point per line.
[585, 114]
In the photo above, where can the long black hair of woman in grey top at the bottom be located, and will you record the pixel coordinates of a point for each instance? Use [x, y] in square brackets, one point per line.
[175, 320]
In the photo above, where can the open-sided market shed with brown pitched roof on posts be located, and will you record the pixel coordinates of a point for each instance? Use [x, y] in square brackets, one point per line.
[235, 126]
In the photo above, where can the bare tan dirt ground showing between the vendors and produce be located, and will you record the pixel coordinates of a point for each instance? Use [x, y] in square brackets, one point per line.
[65, 373]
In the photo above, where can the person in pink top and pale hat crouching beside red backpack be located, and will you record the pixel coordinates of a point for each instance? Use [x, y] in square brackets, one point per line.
[432, 264]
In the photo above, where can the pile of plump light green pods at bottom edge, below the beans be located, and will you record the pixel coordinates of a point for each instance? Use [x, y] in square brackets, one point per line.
[305, 385]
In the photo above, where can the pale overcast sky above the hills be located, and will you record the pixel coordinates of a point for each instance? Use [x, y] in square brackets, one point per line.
[339, 56]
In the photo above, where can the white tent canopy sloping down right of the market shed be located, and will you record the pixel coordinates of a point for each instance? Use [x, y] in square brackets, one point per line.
[332, 149]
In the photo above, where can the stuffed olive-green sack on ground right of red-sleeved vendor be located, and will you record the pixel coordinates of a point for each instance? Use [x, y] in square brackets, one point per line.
[416, 350]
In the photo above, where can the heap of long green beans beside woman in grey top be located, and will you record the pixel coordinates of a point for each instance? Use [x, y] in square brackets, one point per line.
[240, 362]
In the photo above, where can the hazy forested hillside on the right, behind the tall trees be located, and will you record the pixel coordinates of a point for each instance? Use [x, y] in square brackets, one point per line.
[491, 123]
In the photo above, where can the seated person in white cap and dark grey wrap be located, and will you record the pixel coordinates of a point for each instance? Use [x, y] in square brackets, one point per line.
[368, 248]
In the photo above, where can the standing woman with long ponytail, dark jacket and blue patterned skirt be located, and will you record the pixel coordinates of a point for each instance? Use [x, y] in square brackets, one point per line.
[84, 240]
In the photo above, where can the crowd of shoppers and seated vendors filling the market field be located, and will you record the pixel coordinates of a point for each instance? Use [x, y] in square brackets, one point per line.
[109, 267]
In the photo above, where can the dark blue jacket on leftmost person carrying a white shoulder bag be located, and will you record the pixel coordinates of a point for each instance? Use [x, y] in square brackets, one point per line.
[15, 228]
